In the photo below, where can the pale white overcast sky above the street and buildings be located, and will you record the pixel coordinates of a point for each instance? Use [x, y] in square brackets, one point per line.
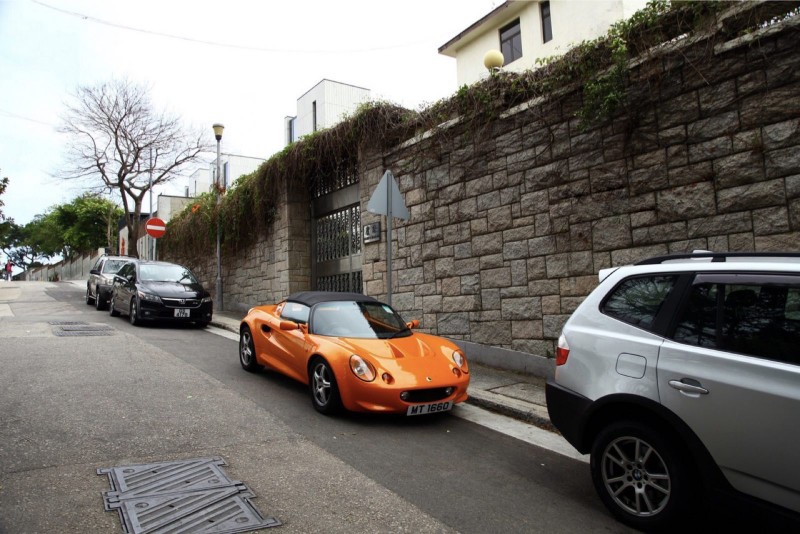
[243, 63]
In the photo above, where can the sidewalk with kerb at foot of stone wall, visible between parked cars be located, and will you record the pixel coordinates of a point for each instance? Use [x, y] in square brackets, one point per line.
[516, 395]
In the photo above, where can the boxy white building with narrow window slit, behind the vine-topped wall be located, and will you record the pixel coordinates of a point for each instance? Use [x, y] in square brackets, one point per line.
[323, 106]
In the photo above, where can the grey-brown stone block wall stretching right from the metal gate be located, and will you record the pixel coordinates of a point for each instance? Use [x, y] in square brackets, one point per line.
[510, 223]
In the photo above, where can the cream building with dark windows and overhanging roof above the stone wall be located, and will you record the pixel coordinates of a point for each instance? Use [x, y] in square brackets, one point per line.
[527, 30]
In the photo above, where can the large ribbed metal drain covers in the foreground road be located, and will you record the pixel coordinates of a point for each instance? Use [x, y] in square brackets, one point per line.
[180, 497]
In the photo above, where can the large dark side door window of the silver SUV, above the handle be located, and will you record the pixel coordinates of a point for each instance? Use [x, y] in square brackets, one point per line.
[755, 318]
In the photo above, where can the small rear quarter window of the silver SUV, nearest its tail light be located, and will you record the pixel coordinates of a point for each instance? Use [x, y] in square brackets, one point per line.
[636, 301]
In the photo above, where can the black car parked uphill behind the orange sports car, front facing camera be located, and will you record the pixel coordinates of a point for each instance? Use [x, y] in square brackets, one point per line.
[159, 291]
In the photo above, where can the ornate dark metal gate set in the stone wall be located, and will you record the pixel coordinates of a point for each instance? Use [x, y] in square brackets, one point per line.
[336, 255]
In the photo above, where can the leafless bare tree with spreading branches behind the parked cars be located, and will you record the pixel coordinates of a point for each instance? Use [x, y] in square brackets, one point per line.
[118, 141]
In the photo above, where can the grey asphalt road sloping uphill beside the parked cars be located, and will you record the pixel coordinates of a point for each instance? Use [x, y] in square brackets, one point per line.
[72, 405]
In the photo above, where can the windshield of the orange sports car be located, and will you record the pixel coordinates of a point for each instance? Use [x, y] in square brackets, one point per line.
[370, 320]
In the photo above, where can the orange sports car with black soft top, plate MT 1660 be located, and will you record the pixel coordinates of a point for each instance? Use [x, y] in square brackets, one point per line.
[354, 352]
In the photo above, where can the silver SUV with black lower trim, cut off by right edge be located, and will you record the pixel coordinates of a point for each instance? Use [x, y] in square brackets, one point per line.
[681, 374]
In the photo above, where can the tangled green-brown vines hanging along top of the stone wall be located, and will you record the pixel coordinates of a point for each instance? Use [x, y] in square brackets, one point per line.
[598, 68]
